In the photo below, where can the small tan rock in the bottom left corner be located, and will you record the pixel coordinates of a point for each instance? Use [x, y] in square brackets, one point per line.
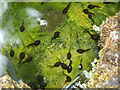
[7, 82]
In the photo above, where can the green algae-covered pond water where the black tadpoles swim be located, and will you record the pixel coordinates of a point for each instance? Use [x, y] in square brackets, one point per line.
[37, 59]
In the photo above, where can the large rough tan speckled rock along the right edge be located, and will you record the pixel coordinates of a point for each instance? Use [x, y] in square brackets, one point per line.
[105, 75]
